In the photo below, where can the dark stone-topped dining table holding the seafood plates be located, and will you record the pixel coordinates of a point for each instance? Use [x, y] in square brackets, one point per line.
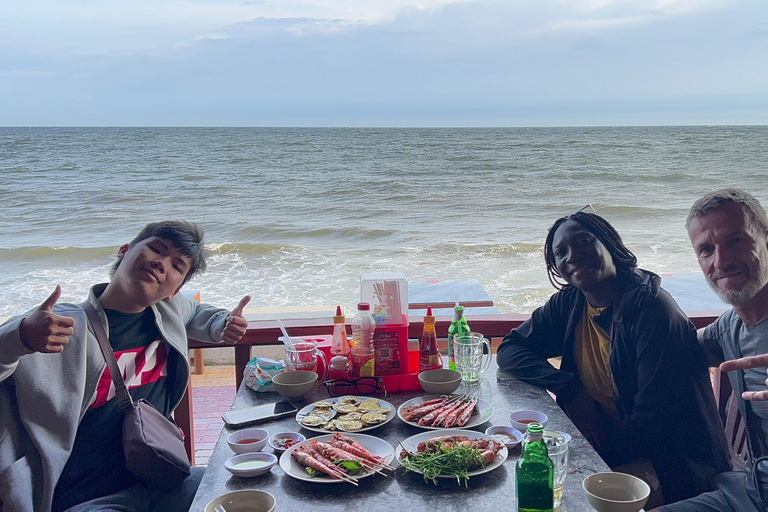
[401, 490]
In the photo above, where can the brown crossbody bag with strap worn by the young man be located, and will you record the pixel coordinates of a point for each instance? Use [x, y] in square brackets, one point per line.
[153, 444]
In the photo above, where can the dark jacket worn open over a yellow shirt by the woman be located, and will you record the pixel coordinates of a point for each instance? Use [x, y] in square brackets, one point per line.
[665, 393]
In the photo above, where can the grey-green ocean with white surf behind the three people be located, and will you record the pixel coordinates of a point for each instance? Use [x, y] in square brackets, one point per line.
[293, 216]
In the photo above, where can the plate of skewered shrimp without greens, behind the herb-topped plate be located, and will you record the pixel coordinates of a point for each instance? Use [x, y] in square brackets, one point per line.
[441, 412]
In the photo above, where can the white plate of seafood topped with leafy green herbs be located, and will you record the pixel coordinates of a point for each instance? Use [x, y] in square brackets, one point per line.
[453, 453]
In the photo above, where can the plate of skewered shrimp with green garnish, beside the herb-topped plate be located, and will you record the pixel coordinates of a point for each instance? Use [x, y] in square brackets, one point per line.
[337, 458]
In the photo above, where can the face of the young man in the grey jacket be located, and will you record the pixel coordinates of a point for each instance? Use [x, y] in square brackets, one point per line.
[153, 268]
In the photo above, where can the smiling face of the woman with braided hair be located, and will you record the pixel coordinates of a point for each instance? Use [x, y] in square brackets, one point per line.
[582, 260]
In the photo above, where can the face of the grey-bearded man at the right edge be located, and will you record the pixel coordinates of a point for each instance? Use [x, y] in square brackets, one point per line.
[733, 257]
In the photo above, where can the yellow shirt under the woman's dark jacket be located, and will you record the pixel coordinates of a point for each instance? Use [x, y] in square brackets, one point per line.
[592, 350]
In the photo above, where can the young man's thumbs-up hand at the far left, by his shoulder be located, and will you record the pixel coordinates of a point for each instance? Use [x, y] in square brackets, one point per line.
[43, 330]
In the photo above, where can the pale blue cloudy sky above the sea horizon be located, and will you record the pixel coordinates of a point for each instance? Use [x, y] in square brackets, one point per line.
[383, 62]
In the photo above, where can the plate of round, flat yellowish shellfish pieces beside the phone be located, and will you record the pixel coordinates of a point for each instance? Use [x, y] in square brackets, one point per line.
[346, 414]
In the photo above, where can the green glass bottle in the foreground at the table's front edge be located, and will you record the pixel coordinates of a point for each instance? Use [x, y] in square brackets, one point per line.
[535, 474]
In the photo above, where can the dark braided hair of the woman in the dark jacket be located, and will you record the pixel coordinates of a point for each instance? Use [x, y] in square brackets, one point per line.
[623, 258]
